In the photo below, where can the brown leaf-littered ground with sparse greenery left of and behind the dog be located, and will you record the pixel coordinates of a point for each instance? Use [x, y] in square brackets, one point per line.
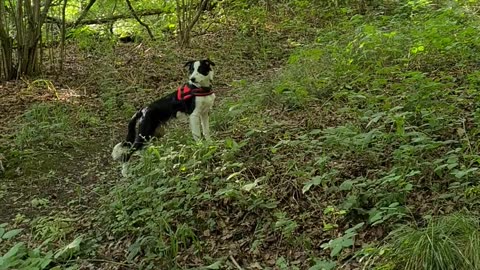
[54, 188]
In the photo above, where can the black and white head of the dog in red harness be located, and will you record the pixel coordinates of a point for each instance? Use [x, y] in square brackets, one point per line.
[200, 72]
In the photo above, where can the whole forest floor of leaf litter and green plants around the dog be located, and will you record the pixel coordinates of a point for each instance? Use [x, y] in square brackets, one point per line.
[325, 141]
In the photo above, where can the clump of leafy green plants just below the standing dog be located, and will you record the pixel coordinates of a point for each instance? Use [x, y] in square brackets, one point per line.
[166, 209]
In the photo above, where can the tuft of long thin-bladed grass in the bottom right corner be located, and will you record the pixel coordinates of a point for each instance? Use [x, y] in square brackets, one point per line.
[444, 242]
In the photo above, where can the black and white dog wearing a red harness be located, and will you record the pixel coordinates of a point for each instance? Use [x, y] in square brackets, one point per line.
[194, 98]
